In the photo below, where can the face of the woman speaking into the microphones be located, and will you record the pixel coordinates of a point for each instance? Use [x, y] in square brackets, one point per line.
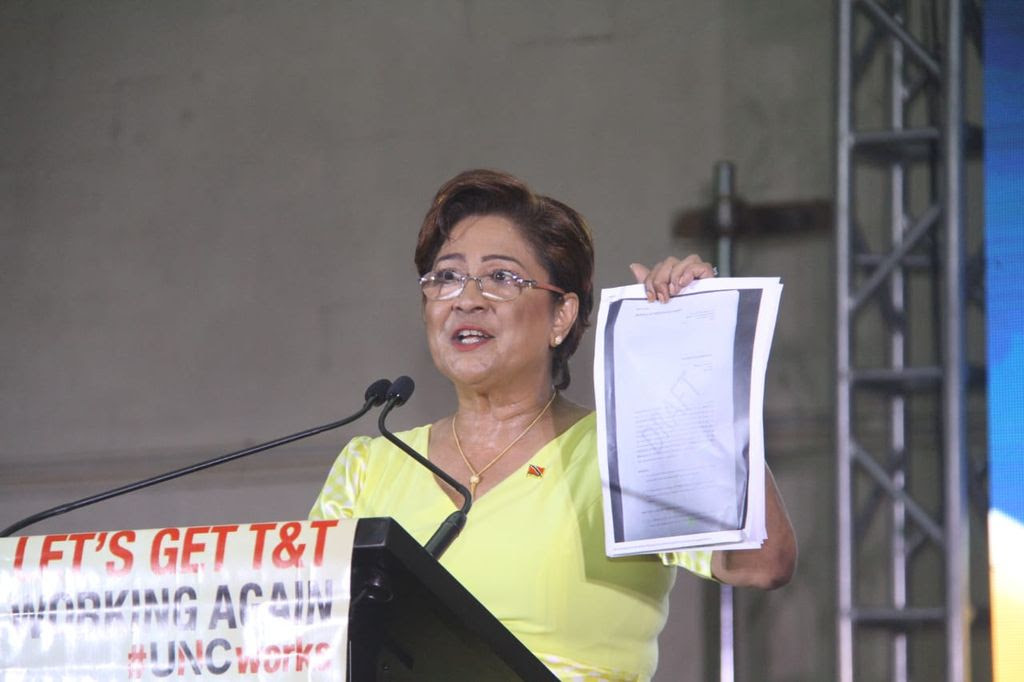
[484, 345]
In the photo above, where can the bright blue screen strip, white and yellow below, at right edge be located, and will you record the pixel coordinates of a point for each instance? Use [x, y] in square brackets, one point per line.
[1005, 306]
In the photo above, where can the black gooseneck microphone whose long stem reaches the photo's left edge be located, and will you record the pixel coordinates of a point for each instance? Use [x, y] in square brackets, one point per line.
[377, 394]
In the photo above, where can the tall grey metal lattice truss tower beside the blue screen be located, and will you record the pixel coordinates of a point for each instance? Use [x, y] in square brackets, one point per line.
[903, 463]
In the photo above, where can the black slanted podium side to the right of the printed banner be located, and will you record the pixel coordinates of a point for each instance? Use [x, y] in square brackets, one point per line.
[411, 620]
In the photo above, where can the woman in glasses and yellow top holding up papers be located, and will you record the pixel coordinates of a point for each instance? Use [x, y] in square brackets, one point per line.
[507, 293]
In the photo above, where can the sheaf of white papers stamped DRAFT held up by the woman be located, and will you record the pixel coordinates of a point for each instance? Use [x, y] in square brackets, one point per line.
[680, 393]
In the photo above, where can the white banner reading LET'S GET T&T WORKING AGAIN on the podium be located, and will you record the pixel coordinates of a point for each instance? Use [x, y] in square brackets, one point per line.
[257, 602]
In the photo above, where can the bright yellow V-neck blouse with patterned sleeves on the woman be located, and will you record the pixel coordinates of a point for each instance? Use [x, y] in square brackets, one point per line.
[533, 550]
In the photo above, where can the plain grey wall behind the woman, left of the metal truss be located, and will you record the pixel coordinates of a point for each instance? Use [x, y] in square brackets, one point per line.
[208, 212]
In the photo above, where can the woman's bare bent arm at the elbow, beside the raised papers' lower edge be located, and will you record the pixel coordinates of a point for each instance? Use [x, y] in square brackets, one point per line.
[773, 565]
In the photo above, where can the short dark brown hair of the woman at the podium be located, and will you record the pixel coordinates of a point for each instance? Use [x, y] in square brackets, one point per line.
[560, 237]
